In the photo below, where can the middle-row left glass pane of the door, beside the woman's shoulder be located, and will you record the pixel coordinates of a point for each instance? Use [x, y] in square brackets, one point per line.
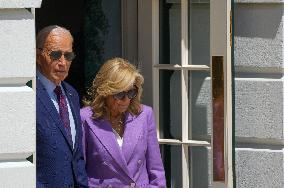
[170, 104]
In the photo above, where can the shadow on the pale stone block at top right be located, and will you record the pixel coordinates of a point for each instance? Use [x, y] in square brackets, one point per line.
[257, 20]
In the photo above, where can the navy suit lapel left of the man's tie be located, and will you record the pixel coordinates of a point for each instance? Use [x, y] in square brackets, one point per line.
[47, 103]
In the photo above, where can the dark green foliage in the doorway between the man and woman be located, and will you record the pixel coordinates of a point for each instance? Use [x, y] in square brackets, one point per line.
[96, 27]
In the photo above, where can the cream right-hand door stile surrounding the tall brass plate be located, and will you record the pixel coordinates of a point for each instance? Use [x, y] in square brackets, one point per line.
[220, 46]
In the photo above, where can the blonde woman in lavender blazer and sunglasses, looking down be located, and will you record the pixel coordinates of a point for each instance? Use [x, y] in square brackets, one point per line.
[120, 140]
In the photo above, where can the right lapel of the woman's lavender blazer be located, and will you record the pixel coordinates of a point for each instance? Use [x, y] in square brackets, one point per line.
[132, 134]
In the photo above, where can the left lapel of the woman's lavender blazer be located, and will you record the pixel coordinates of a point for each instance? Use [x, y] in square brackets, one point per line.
[102, 129]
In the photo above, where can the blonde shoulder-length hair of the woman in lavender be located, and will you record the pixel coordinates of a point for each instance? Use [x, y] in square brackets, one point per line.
[115, 75]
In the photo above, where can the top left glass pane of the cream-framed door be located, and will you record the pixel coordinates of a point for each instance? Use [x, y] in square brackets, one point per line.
[170, 32]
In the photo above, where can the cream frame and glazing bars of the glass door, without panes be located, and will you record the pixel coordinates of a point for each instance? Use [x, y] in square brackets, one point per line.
[220, 45]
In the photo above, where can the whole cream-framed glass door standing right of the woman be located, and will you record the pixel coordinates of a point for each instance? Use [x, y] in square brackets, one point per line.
[189, 35]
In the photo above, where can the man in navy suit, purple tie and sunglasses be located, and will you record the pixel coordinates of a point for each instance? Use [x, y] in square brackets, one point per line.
[60, 162]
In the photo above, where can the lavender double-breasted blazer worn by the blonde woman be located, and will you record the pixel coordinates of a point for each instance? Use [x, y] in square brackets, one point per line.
[138, 164]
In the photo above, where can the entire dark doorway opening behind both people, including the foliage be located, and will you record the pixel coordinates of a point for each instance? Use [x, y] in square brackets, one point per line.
[96, 28]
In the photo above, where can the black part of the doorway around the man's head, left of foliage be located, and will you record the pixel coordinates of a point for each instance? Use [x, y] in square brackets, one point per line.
[69, 14]
